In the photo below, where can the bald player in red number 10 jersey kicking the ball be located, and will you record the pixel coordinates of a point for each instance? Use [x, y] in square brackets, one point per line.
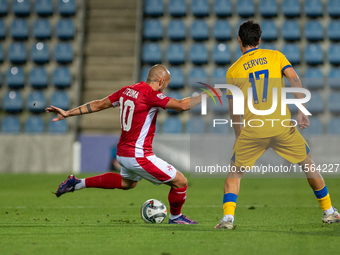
[138, 104]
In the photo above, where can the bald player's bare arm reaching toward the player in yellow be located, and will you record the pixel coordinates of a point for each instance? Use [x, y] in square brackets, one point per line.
[188, 103]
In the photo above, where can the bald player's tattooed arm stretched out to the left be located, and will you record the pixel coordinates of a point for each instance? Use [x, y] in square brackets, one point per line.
[94, 106]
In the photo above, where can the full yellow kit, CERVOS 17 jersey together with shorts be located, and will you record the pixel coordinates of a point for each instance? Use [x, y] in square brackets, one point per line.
[262, 70]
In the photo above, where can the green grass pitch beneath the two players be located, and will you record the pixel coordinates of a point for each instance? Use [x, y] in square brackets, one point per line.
[273, 216]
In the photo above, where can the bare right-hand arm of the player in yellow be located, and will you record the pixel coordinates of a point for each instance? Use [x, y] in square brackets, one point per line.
[293, 78]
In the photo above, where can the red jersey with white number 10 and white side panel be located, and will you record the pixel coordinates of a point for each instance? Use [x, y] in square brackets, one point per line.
[138, 105]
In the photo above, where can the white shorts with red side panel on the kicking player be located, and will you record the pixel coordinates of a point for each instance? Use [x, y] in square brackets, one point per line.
[151, 168]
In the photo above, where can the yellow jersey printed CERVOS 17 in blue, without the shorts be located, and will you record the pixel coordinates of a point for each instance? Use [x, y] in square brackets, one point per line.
[262, 70]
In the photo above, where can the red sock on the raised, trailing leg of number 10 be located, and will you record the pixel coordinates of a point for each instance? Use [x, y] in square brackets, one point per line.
[105, 181]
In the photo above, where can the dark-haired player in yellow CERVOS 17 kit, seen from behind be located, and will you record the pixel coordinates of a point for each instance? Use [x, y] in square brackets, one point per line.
[263, 70]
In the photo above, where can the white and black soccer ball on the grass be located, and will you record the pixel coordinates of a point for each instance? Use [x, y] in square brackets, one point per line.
[153, 211]
